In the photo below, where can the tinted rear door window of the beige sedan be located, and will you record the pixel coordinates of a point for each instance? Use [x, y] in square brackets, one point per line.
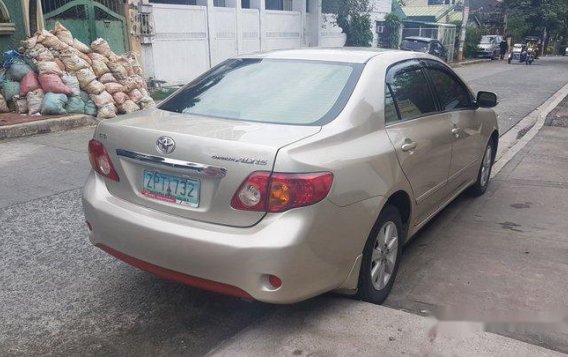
[411, 94]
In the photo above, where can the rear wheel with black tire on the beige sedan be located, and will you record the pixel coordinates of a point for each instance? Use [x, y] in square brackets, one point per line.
[381, 257]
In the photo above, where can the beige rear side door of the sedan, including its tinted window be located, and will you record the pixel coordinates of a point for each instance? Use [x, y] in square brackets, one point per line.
[421, 136]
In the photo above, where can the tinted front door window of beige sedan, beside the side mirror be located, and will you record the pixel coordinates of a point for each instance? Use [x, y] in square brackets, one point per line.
[451, 93]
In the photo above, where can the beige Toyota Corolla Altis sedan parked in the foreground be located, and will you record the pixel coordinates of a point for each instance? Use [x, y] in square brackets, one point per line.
[285, 175]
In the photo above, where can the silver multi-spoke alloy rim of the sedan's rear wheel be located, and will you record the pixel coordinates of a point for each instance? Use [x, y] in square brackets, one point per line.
[385, 253]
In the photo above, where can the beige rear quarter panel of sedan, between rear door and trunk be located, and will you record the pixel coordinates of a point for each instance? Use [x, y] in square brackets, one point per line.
[356, 149]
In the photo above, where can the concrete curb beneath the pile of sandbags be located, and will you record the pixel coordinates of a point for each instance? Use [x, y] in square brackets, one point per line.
[46, 126]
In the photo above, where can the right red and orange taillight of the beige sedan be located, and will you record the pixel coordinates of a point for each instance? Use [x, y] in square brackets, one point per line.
[279, 192]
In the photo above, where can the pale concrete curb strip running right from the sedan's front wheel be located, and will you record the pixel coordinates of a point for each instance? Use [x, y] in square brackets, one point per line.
[515, 139]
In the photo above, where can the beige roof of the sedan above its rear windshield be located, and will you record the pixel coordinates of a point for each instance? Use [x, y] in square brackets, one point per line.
[339, 54]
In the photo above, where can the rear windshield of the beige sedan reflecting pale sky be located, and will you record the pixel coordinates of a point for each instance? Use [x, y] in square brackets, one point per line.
[269, 90]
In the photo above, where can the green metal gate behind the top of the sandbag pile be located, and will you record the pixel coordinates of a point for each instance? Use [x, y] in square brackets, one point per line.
[89, 19]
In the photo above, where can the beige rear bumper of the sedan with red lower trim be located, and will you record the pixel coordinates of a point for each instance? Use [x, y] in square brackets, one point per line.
[311, 249]
